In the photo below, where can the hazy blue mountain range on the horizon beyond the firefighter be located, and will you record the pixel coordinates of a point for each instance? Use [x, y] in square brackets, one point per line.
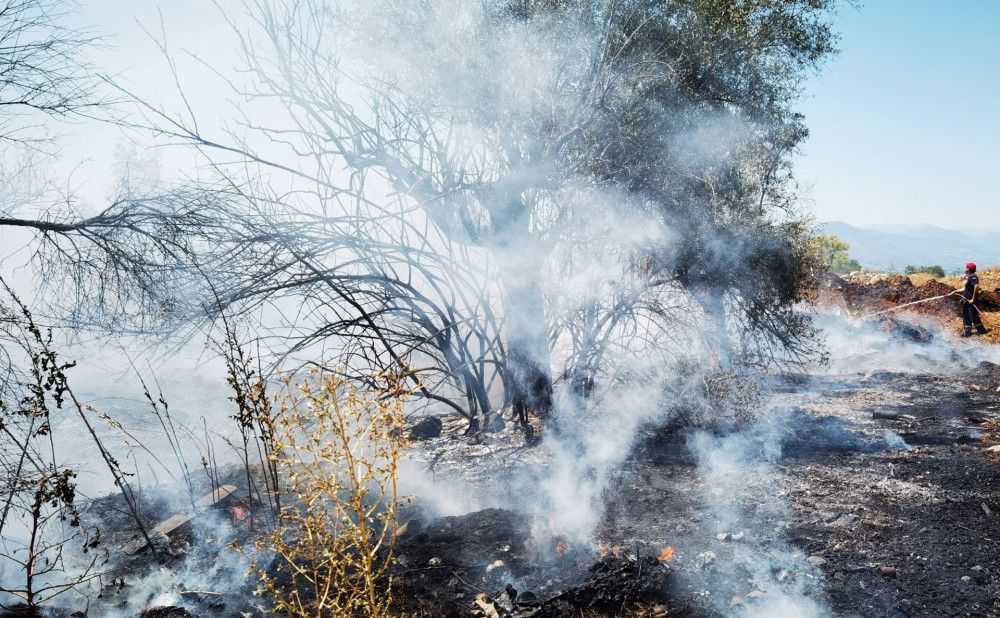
[893, 247]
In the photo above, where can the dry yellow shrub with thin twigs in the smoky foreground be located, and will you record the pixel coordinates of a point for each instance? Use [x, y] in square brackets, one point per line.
[337, 449]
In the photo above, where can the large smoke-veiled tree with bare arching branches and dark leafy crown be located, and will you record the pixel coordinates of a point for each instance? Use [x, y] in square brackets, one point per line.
[406, 177]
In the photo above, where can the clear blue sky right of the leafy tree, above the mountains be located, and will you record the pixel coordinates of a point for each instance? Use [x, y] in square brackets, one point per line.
[904, 122]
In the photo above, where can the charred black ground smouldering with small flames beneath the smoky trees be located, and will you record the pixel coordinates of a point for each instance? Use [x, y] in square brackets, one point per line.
[864, 493]
